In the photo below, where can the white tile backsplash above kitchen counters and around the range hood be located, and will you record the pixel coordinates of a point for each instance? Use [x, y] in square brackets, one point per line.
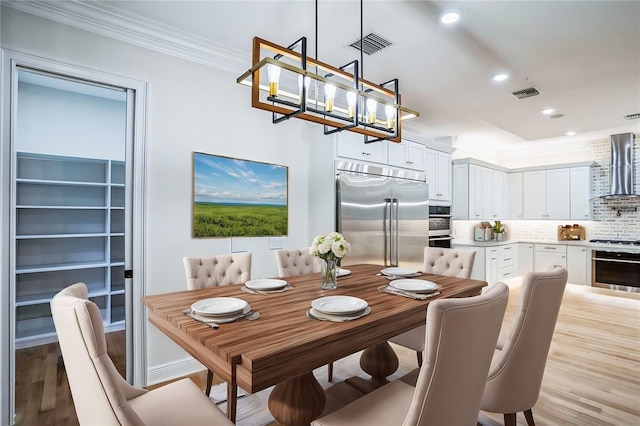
[607, 223]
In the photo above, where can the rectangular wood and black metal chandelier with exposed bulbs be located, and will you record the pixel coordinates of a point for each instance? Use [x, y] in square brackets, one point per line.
[291, 84]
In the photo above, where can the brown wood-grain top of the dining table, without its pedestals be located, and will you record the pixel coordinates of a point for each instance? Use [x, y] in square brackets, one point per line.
[284, 342]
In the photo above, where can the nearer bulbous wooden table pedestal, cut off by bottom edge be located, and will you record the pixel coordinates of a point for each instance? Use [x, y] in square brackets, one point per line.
[297, 401]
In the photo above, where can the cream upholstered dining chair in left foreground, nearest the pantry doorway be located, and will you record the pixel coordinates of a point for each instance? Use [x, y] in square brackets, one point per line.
[100, 395]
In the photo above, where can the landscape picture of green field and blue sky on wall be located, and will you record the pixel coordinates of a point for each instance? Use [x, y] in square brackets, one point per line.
[238, 198]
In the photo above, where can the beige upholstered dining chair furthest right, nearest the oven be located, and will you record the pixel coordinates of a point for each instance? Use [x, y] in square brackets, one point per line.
[517, 368]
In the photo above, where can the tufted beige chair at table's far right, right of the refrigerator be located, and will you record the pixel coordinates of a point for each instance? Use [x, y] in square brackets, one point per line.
[438, 261]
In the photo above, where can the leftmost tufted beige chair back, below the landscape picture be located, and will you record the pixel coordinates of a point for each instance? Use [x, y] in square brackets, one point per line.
[204, 272]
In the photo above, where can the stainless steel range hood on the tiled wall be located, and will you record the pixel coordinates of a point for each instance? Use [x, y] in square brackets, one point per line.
[621, 171]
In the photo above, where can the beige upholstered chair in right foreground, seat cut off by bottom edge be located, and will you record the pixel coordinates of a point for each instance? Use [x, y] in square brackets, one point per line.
[460, 335]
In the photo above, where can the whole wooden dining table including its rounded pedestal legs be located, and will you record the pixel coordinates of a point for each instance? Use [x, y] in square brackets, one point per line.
[284, 345]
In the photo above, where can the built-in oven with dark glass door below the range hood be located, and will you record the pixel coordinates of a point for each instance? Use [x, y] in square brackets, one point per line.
[614, 269]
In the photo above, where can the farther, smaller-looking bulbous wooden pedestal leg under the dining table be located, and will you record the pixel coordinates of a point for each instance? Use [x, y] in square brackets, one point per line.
[379, 361]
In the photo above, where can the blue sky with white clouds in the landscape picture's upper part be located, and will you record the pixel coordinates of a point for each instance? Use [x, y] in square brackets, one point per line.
[228, 180]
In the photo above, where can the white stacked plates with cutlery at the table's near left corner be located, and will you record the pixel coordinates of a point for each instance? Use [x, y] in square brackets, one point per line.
[220, 310]
